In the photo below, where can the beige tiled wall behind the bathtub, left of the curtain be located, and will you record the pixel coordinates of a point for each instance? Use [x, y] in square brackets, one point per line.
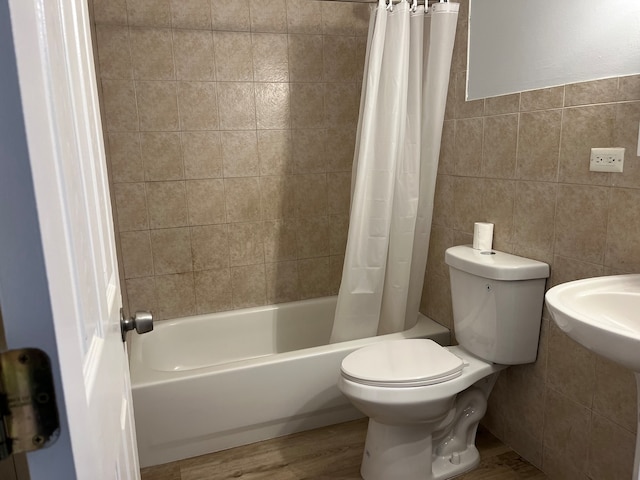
[230, 128]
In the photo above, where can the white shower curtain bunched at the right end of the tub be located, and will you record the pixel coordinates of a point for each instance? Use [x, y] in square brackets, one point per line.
[402, 106]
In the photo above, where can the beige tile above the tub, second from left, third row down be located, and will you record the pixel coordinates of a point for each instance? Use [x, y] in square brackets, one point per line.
[157, 106]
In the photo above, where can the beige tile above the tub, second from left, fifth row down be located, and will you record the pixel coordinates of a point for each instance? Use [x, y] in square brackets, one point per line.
[167, 204]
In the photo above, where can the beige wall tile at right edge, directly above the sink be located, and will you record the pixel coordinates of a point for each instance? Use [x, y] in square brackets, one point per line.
[623, 248]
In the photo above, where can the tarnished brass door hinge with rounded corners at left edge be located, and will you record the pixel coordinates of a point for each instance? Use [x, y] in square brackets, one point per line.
[28, 407]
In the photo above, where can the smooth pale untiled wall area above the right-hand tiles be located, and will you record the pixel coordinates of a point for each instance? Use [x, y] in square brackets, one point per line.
[519, 45]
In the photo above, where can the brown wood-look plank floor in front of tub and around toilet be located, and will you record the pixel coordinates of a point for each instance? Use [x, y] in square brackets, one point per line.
[331, 453]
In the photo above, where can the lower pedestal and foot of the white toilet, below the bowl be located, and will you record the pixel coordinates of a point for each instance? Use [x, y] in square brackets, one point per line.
[404, 452]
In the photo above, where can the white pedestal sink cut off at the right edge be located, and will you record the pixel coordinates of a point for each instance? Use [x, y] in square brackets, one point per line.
[603, 315]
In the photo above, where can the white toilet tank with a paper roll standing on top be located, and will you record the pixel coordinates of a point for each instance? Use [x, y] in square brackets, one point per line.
[497, 303]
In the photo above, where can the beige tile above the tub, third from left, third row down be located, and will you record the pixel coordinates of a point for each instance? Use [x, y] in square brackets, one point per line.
[198, 105]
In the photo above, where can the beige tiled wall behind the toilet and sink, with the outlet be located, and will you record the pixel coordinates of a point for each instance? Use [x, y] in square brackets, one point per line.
[522, 162]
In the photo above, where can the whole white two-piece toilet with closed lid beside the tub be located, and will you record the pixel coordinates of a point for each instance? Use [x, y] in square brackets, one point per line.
[424, 401]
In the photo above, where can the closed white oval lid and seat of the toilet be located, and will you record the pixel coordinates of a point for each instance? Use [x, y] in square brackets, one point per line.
[402, 363]
